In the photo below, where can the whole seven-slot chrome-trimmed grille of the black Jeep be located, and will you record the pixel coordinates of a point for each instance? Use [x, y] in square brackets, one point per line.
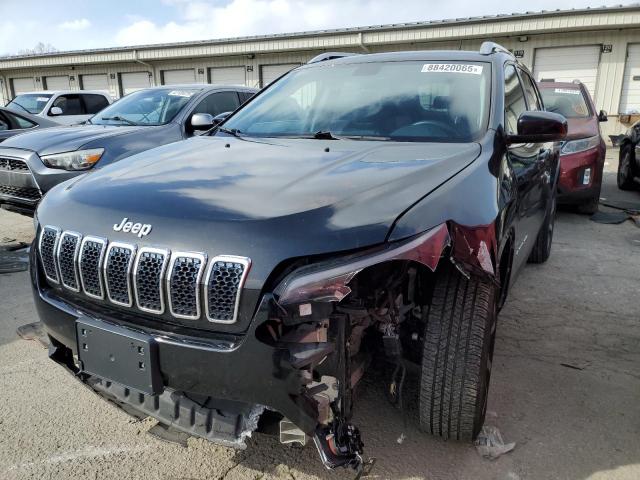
[149, 279]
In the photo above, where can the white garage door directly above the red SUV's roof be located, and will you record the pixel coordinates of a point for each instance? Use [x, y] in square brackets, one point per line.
[566, 64]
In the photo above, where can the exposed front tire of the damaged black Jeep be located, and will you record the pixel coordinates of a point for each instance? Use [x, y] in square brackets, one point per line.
[457, 355]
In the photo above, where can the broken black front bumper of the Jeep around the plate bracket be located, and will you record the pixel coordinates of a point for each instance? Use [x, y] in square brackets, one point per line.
[215, 386]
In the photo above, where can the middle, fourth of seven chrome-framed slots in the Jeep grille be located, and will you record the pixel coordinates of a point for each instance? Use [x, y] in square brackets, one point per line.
[117, 273]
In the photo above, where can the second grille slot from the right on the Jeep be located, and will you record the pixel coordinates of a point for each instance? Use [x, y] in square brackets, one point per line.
[183, 282]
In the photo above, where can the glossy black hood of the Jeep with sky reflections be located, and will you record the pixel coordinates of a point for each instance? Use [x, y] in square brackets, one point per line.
[268, 199]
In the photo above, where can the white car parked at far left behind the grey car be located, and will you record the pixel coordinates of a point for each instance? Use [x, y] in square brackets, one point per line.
[67, 107]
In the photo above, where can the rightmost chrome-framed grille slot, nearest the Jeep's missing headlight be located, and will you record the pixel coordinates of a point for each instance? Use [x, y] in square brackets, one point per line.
[225, 276]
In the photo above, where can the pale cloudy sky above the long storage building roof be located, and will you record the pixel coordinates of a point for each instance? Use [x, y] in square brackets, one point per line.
[84, 24]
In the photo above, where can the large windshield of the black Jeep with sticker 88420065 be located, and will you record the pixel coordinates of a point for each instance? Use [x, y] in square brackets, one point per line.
[401, 101]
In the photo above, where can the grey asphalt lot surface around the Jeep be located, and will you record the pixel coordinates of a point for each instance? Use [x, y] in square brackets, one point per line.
[565, 387]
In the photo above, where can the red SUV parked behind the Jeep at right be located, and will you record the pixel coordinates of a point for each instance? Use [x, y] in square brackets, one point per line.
[583, 151]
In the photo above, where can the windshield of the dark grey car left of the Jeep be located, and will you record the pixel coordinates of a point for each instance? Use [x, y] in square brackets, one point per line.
[145, 107]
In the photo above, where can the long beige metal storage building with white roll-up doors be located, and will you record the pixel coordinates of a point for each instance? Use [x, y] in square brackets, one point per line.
[600, 46]
